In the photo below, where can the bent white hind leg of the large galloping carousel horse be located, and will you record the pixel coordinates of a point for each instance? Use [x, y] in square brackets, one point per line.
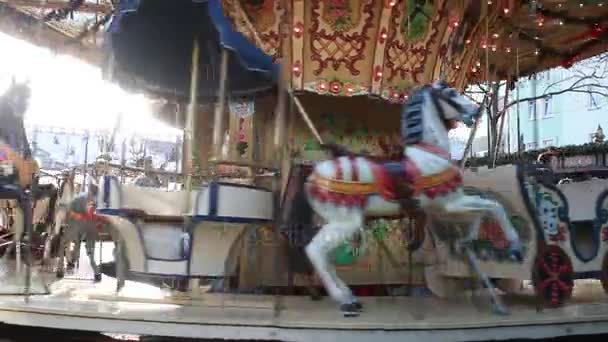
[329, 237]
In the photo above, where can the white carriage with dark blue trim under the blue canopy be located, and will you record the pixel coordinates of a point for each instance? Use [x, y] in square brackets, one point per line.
[179, 233]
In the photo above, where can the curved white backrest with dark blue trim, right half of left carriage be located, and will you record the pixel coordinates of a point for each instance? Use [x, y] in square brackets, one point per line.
[236, 203]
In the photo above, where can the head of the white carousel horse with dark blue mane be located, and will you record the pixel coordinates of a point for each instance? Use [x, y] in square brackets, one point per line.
[452, 106]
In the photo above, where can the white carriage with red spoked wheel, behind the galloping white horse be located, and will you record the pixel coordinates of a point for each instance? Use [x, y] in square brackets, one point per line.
[562, 227]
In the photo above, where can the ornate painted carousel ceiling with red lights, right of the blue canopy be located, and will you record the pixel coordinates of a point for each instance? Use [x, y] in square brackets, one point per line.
[387, 47]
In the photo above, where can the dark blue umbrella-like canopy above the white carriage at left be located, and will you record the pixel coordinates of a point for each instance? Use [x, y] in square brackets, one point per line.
[150, 45]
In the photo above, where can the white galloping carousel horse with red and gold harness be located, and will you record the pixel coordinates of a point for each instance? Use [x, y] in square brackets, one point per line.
[347, 190]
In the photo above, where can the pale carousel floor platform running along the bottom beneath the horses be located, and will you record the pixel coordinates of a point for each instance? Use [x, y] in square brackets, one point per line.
[80, 304]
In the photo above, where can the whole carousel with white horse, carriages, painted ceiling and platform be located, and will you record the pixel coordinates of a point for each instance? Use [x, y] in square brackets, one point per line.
[320, 199]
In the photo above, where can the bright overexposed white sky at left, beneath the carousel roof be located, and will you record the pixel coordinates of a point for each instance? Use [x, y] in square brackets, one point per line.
[70, 93]
